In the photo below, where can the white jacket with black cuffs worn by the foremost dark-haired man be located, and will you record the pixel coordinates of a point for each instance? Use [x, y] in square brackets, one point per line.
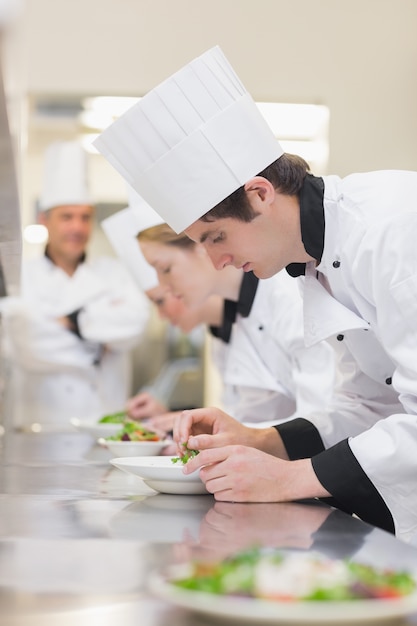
[363, 296]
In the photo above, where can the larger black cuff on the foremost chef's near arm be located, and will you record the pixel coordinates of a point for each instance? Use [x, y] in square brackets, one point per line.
[339, 472]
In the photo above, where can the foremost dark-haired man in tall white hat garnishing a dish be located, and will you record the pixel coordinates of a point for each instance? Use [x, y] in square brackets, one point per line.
[217, 172]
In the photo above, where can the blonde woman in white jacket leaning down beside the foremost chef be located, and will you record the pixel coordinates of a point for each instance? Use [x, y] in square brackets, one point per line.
[268, 373]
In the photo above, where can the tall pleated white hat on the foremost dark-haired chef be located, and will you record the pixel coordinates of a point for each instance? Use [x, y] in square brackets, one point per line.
[191, 141]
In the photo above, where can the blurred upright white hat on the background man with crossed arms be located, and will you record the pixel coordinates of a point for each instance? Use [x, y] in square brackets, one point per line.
[65, 179]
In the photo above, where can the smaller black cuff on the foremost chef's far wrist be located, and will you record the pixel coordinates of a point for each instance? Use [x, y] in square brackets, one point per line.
[301, 438]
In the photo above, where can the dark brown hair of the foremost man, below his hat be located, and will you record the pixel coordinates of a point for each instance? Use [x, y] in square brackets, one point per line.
[287, 175]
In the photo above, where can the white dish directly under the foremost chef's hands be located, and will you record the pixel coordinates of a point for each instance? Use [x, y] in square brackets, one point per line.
[161, 474]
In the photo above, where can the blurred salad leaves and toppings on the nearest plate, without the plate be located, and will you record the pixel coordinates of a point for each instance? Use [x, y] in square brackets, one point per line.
[294, 577]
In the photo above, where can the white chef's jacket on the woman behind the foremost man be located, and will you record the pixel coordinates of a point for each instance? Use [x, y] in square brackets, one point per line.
[268, 373]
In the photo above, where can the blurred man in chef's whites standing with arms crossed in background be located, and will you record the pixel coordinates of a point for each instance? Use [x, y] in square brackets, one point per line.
[68, 336]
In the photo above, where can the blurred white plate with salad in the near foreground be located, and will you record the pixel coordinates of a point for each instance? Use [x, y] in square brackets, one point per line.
[270, 586]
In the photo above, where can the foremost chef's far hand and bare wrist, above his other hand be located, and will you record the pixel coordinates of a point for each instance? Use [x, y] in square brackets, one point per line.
[201, 429]
